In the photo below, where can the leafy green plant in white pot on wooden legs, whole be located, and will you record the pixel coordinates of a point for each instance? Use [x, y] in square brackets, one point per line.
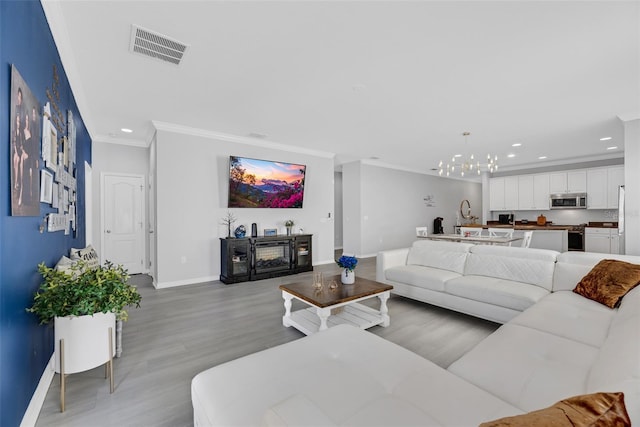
[84, 304]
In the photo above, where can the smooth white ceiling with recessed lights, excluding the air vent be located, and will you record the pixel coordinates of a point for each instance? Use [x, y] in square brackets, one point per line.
[395, 80]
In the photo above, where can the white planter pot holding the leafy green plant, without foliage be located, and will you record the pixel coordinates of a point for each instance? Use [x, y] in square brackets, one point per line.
[86, 341]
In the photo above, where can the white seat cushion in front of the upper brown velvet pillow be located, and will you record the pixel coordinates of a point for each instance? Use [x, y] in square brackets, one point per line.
[570, 316]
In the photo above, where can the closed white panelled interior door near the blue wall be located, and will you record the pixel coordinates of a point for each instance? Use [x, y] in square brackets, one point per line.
[123, 224]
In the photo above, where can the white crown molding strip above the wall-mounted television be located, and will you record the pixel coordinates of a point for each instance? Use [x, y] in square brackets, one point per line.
[257, 142]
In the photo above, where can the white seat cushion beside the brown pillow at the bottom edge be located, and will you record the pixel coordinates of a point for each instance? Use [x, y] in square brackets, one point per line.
[527, 368]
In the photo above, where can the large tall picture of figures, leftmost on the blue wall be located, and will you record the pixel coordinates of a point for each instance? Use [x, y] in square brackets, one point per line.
[25, 148]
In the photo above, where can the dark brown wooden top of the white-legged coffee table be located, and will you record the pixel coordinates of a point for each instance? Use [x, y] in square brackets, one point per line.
[328, 297]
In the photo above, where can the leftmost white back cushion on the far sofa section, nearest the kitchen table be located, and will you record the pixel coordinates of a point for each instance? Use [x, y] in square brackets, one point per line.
[443, 255]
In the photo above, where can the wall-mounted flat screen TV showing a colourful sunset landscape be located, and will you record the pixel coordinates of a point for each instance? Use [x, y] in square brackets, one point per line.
[255, 183]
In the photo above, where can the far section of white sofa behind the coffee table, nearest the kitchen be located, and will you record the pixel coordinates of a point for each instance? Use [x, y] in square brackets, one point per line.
[492, 282]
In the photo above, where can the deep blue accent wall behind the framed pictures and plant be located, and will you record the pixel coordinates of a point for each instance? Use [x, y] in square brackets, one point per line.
[26, 346]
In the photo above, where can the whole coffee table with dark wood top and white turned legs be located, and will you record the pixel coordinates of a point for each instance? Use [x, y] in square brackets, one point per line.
[342, 301]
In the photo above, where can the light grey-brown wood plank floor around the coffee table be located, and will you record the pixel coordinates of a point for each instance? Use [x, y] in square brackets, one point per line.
[181, 331]
